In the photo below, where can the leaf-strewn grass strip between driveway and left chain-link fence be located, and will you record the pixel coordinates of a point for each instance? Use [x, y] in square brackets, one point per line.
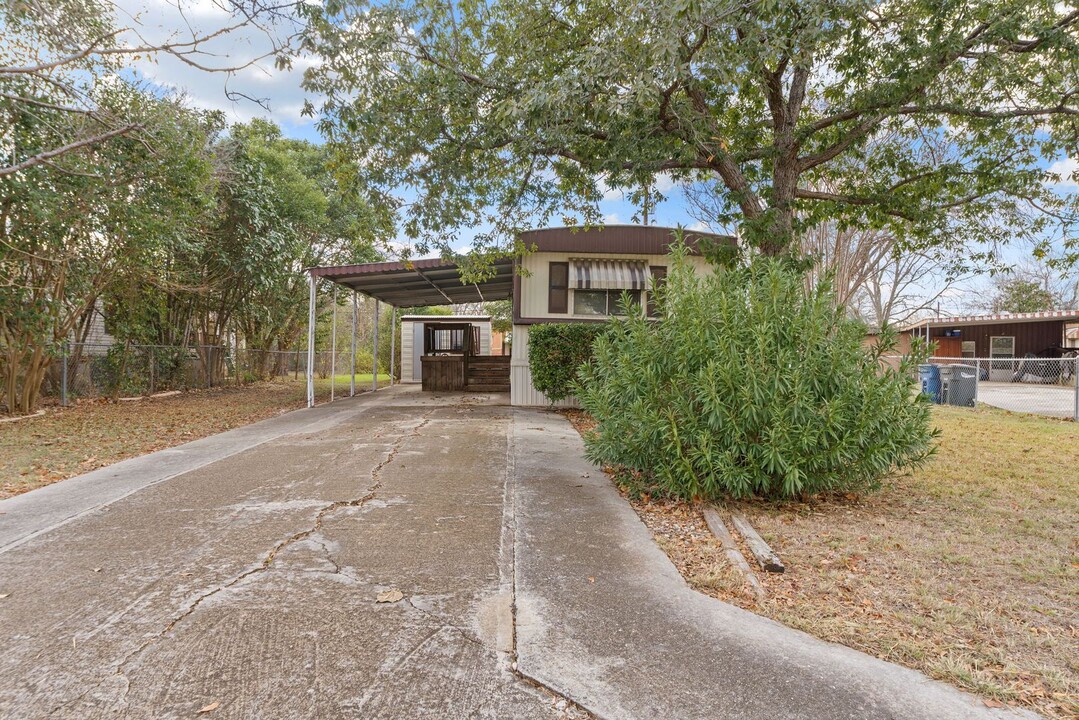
[66, 442]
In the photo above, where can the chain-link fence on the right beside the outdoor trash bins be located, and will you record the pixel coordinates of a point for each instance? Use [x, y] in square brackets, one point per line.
[1040, 386]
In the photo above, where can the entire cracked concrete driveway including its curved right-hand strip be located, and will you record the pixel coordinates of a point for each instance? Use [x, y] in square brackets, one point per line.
[245, 573]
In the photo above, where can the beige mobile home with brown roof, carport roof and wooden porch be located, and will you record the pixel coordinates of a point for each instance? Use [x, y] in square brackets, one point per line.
[568, 276]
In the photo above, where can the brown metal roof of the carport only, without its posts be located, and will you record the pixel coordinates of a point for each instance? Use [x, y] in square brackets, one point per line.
[420, 283]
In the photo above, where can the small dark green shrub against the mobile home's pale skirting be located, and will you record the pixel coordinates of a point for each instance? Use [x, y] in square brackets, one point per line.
[556, 351]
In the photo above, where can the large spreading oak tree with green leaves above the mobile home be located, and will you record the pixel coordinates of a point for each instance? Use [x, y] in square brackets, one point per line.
[500, 114]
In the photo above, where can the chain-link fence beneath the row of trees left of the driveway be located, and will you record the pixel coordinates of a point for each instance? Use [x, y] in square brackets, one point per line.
[88, 371]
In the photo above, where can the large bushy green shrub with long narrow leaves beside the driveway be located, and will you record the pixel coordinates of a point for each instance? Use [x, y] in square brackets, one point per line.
[750, 386]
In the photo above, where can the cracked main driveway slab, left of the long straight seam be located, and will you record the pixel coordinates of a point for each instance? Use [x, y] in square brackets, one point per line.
[252, 582]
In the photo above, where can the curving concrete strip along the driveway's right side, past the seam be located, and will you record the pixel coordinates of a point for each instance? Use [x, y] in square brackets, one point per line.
[605, 618]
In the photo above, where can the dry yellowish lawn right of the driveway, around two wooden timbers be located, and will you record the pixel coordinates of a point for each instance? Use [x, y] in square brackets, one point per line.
[967, 570]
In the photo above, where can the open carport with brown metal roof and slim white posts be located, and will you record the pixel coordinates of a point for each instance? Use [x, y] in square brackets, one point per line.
[400, 284]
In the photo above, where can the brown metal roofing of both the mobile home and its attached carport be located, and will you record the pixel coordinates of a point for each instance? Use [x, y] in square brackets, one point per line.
[438, 282]
